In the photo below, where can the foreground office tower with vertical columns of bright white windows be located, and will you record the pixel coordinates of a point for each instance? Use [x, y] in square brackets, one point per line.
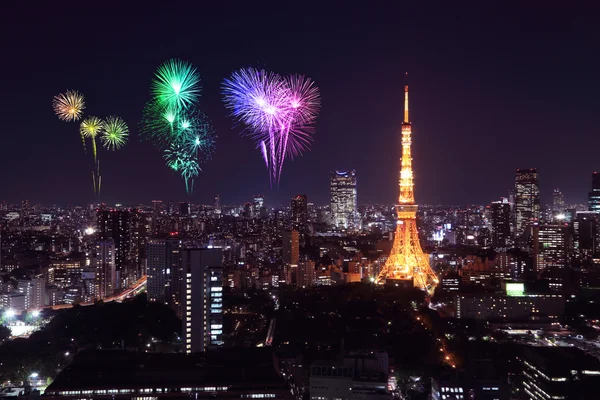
[203, 300]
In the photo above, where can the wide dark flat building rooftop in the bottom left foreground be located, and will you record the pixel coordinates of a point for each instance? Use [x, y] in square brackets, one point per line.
[123, 369]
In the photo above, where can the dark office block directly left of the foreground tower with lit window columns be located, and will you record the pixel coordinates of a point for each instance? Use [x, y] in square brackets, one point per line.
[164, 271]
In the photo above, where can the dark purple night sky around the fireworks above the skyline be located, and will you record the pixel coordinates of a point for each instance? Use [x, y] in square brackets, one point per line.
[494, 86]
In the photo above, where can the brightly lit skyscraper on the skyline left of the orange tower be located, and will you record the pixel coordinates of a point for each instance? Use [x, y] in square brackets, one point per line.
[344, 211]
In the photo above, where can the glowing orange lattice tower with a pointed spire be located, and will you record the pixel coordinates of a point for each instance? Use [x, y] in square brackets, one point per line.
[407, 262]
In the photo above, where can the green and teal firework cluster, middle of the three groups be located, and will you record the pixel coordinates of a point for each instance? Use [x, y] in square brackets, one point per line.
[173, 122]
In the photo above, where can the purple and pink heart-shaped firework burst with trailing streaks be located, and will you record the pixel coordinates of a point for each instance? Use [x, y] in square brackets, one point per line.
[277, 111]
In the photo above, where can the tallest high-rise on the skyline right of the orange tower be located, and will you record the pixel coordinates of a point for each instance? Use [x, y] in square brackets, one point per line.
[527, 199]
